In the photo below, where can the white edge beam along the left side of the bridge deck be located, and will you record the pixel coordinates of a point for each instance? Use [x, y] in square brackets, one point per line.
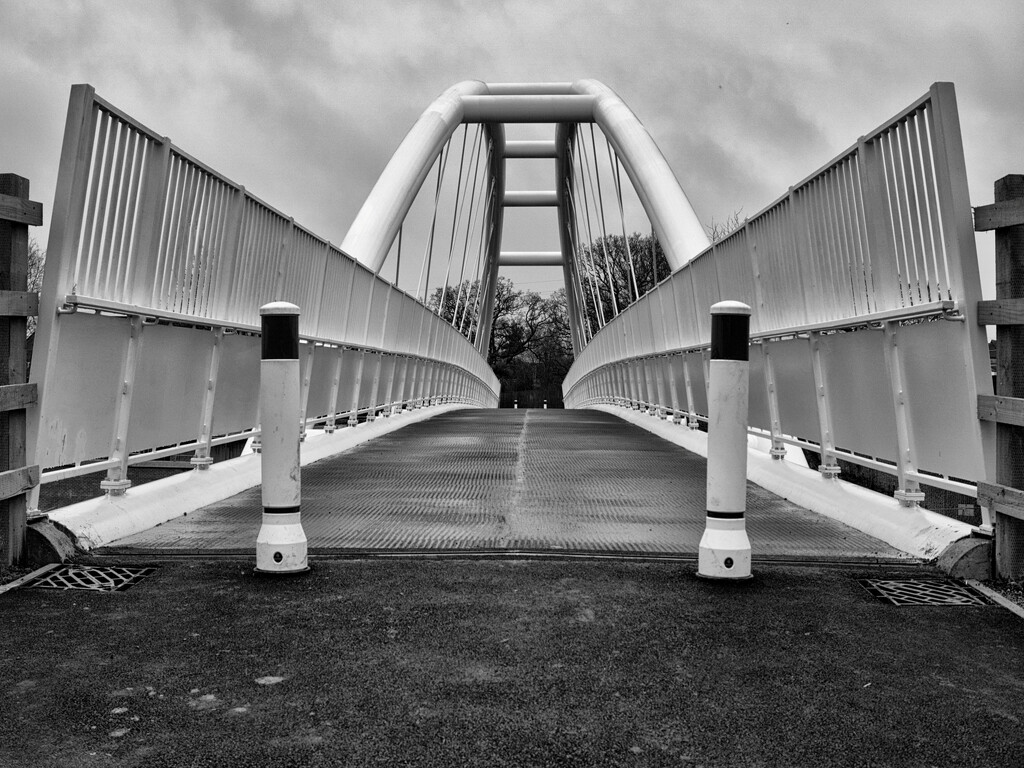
[98, 522]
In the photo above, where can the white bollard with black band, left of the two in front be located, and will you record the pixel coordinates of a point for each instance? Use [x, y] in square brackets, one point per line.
[281, 546]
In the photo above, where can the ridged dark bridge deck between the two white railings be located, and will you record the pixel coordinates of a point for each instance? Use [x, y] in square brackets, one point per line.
[511, 481]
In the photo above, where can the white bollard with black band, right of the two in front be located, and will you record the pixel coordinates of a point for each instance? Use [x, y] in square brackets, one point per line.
[726, 550]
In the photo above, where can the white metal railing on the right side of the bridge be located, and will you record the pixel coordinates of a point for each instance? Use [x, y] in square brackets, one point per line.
[864, 283]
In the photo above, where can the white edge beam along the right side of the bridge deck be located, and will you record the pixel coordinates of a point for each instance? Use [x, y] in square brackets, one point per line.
[917, 532]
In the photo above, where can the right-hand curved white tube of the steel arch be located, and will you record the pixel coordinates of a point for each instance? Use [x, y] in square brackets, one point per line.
[679, 231]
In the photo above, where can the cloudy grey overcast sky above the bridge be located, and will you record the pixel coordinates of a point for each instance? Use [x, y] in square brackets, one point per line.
[304, 103]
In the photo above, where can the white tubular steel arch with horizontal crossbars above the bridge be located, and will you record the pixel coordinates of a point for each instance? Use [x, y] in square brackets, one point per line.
[494, 106]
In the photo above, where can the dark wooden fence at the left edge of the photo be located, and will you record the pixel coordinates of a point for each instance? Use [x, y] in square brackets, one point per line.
[17, 215]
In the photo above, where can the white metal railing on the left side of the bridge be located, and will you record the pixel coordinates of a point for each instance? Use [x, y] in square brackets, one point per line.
[157, 267]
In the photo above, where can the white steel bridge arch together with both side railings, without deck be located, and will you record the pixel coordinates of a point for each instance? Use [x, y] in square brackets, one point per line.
[863, 279]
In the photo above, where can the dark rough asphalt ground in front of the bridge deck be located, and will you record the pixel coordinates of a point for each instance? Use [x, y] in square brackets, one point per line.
[505, 663]
